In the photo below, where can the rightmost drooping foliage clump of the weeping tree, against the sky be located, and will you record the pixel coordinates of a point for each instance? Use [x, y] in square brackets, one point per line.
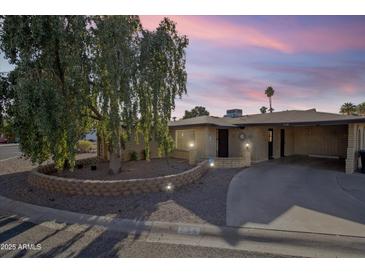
[162, 78]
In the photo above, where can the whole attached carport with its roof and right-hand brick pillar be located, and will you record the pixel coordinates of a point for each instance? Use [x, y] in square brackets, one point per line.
[315, 135]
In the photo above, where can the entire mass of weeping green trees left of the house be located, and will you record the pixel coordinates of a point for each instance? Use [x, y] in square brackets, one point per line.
[78, 72]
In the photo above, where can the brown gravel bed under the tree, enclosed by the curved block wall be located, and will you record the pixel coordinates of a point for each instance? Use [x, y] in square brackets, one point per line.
[130, 170]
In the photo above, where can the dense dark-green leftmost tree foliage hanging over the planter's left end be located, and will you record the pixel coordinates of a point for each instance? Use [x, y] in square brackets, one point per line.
[51, 92]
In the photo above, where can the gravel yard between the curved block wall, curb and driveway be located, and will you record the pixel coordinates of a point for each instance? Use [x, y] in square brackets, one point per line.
[204, 202]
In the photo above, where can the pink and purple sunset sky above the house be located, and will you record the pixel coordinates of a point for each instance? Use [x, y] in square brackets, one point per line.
[310, 61]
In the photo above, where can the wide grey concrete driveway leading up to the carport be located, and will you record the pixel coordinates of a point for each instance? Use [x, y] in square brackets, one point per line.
[286, 196]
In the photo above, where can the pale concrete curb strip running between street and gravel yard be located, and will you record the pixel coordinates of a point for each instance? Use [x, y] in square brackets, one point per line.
[249, 239]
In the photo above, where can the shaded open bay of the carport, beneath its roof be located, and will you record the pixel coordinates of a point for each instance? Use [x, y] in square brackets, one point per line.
[316, 145]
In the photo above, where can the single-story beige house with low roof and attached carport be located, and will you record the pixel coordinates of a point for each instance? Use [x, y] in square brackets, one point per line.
[274, 135]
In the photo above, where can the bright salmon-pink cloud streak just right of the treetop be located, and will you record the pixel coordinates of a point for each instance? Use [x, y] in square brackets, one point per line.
[220, 32]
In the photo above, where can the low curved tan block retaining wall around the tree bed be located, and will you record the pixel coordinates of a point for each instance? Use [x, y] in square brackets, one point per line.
[40, 177]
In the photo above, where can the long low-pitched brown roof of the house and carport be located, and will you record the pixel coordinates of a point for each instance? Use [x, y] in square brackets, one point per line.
[286, 118]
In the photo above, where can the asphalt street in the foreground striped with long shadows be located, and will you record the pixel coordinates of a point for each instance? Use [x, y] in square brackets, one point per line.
[20, 238]
